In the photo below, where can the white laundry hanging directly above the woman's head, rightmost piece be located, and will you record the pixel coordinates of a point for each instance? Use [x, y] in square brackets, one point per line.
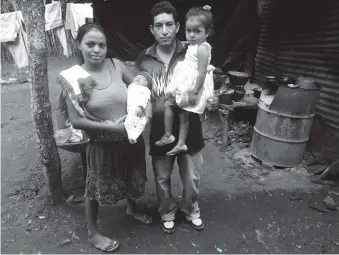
[76, 15]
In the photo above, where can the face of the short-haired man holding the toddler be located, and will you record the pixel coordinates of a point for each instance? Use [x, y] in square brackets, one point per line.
[164, 29]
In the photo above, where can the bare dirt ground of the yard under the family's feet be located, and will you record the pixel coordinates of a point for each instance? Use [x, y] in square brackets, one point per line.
[246, 208]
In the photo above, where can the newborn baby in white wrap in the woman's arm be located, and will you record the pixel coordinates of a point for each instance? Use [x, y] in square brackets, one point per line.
[138, 96]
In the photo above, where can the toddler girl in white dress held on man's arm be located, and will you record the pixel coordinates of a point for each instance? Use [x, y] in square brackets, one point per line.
[191, 84]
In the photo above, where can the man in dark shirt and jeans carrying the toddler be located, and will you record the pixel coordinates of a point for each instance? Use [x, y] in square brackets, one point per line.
[159, 61]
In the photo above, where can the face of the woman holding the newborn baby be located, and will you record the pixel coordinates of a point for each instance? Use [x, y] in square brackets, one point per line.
[93, 47]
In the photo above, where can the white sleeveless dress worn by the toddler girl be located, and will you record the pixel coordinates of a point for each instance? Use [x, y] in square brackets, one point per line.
[184, 78]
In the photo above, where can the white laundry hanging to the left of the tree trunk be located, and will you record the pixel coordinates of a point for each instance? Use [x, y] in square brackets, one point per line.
[12, 33]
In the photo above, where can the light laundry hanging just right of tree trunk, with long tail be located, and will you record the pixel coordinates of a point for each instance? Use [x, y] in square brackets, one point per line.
[53, 20]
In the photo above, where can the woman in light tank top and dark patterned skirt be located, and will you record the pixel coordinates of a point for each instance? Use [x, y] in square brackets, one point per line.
[116, 168]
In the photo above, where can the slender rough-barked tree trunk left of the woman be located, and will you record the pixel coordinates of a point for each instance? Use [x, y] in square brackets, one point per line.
[34, 16]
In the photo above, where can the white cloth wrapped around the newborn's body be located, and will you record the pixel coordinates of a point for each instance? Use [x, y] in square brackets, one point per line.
[137, 96]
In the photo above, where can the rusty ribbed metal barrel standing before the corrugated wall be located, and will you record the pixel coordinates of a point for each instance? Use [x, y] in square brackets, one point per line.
[282, 128]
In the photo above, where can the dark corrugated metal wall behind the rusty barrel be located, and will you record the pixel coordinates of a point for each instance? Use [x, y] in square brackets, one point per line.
[302, 42]
